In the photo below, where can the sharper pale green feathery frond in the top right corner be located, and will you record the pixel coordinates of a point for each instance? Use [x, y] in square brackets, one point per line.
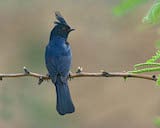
[153, 15]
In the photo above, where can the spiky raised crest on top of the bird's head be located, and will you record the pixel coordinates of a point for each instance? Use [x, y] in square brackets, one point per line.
[60, 19]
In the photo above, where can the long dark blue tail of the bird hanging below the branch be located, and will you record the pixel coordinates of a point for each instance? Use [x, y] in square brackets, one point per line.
[64, 101]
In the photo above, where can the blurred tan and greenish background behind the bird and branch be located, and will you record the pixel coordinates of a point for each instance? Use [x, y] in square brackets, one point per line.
[102, 41]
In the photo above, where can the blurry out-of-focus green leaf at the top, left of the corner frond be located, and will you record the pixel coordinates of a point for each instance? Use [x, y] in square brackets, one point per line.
[126, 5]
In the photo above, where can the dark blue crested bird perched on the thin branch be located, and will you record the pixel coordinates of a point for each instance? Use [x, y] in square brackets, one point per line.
[58, 59]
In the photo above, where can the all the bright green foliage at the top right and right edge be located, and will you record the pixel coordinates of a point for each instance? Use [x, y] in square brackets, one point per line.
[152, 17]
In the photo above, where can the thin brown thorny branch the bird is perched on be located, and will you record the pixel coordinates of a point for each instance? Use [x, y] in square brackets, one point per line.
[80, 73]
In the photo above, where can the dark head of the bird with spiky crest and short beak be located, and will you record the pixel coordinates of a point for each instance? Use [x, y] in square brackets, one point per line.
[61, 28]
